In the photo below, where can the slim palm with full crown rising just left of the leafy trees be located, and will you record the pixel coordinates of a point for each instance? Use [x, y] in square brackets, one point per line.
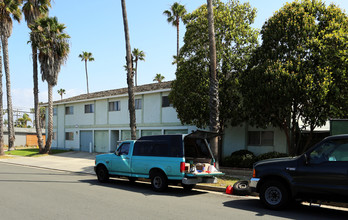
[174, 15]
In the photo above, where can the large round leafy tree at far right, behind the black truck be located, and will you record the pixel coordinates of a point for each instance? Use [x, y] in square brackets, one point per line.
[300, 70]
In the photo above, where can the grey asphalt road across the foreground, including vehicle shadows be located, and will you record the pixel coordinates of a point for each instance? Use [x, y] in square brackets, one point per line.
[30, 193]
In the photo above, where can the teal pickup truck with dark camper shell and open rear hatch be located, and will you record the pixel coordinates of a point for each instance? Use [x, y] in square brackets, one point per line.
[185, 159]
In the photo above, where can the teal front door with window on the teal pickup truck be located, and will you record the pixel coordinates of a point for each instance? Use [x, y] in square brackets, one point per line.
[121, 161]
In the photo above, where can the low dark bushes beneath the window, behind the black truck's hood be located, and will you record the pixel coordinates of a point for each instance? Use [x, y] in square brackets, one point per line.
[246, 159]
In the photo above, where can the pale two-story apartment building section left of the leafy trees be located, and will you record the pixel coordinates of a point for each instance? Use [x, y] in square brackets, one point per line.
[95, 122]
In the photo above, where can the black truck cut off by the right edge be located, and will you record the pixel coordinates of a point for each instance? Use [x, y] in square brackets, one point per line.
[320, 174]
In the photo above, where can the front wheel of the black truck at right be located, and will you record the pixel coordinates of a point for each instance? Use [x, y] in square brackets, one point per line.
[274, 195]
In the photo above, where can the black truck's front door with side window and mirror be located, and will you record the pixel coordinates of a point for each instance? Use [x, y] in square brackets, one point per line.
[327, 169]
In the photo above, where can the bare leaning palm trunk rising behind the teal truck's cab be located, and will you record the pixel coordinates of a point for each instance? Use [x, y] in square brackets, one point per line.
[130, 74]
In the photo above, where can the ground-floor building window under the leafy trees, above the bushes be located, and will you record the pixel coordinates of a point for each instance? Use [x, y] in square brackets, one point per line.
[260, 138]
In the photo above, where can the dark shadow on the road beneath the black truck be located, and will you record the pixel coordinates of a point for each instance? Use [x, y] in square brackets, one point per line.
[292, 212]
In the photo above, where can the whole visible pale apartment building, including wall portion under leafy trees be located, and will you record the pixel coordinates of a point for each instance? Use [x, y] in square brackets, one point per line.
[96, 122]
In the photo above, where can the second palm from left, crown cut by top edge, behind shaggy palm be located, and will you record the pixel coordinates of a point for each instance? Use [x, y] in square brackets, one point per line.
[32, 10]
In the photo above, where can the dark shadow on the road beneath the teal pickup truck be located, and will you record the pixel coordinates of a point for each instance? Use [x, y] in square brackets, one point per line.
[142, 187]
